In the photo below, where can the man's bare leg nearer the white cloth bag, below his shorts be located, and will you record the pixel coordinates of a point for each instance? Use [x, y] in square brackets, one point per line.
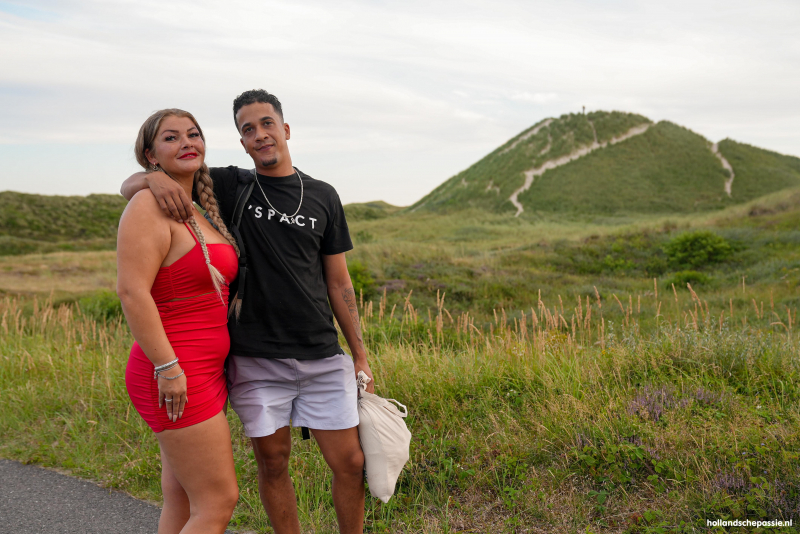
[343, 454]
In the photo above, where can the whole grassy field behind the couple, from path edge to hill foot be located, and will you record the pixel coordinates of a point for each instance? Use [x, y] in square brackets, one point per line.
[560, 374]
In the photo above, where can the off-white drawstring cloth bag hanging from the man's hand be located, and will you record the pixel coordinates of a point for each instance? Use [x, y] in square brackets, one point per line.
[384, 437]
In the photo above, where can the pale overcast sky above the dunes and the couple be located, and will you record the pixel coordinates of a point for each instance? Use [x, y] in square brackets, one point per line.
[386, 99]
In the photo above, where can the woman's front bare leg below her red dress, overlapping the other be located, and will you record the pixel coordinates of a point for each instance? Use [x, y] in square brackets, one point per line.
[200, 458]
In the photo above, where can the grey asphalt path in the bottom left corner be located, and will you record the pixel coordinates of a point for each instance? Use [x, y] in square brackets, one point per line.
[37, 501]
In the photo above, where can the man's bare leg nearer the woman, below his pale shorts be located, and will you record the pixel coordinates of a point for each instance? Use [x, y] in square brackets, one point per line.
[274, 483]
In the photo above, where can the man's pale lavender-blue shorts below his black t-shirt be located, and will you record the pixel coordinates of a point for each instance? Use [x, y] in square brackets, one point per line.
[268, 394]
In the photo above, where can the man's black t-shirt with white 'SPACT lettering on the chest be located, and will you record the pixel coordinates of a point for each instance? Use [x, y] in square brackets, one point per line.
[285, 311]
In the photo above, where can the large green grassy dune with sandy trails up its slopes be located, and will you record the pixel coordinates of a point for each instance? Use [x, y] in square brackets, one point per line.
[612, 163]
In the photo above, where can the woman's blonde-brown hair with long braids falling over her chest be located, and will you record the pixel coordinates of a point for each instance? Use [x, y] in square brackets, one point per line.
[202, 184]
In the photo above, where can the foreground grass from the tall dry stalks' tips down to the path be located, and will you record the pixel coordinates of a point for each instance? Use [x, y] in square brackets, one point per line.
[629, 413]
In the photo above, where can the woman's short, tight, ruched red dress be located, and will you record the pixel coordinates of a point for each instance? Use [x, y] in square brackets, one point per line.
[197, 329]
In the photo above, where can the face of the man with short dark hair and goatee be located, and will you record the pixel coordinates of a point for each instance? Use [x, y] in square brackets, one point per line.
[264, 134]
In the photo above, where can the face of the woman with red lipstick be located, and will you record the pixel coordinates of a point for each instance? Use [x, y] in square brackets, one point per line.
[178, 147]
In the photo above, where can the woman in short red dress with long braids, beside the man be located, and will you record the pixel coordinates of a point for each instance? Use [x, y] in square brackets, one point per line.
[173, 283]
